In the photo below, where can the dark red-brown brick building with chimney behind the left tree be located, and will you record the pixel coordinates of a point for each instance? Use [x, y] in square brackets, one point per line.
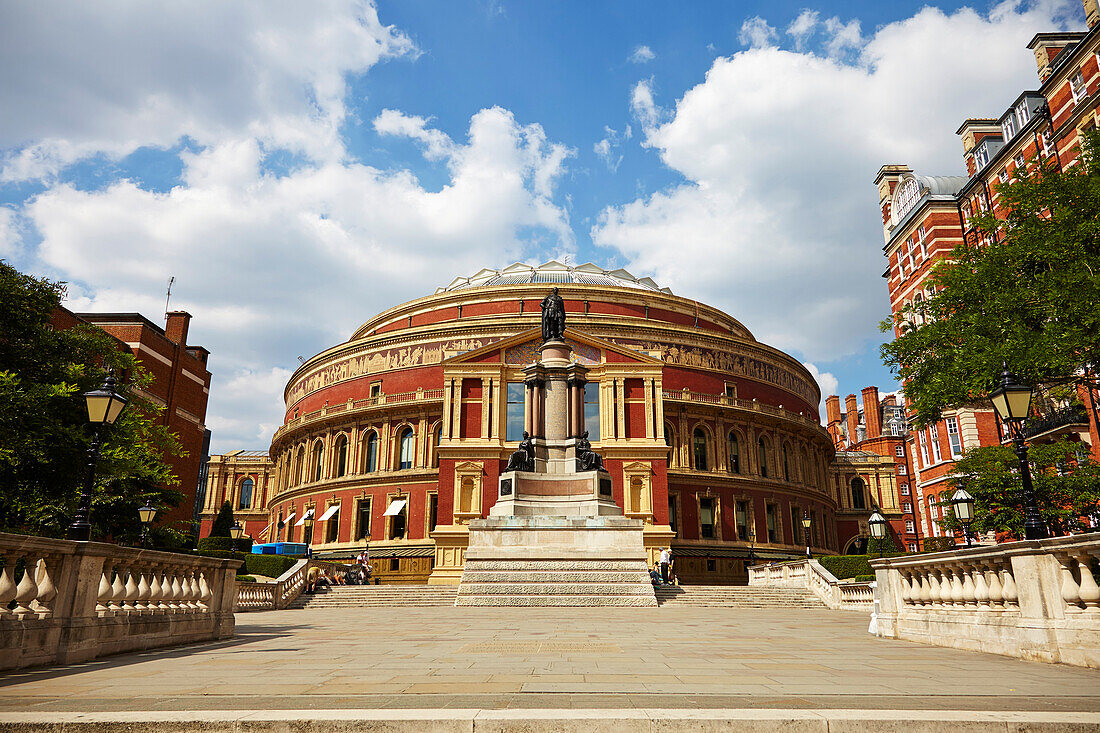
[181, 385]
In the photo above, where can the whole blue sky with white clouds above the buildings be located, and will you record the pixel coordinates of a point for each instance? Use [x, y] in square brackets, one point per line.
[299, 168]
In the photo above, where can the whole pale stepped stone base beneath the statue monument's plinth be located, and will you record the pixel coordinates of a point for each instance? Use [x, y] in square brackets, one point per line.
[556, 561]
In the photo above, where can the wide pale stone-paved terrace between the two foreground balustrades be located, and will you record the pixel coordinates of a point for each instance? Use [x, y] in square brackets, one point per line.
[446, 659]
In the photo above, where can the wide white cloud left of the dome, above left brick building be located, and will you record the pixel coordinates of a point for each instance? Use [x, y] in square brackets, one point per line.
[273, 267]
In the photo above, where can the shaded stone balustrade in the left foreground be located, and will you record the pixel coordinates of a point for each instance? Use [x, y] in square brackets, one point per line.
[64, 603]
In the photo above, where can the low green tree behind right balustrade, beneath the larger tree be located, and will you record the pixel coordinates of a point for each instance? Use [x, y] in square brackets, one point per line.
[1066, 483]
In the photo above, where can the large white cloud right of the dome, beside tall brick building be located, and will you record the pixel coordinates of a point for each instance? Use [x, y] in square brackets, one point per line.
[777, 221]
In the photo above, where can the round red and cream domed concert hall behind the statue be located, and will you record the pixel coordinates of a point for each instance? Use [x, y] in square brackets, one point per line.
[395, 439]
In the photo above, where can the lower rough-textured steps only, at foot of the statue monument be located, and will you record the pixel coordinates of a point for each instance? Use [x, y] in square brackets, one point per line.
[556, 583]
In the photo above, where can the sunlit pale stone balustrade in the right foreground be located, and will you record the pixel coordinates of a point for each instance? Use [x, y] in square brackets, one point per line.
[1036, 599]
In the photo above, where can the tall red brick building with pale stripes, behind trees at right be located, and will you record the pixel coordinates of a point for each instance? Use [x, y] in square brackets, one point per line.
[925, 217]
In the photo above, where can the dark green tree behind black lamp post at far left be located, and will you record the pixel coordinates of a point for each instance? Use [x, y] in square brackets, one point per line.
[45, 432]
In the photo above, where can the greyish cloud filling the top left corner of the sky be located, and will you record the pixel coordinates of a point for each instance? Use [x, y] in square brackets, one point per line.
[108, 78]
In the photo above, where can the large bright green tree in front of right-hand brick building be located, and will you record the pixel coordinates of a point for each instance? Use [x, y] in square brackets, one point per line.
[1026, 291]
